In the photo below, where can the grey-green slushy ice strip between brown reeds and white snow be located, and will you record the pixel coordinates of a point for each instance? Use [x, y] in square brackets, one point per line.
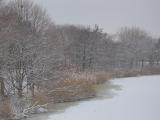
[103, 91]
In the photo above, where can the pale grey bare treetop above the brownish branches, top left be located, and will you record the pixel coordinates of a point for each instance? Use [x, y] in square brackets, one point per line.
[28, 11]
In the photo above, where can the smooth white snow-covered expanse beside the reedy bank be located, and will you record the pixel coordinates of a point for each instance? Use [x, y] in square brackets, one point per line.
[139, 99]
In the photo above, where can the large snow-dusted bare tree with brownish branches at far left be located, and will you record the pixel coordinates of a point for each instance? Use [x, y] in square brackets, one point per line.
[21, 48]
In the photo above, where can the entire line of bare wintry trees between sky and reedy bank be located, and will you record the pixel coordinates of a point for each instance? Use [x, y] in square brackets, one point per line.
[34, 50]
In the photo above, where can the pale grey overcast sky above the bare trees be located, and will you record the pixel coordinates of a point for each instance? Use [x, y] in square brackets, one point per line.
[108, 14]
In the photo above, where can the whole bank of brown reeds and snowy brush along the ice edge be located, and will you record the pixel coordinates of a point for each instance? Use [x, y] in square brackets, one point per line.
[74, 87]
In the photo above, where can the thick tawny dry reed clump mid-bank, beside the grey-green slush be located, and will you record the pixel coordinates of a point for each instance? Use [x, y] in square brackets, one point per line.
[77, 86]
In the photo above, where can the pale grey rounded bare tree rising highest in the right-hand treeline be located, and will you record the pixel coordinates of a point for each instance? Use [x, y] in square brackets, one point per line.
[136, 45]
